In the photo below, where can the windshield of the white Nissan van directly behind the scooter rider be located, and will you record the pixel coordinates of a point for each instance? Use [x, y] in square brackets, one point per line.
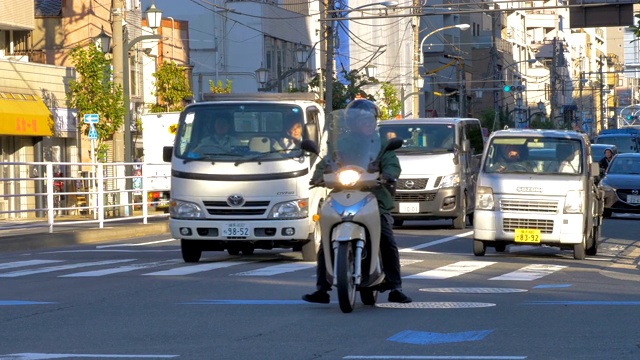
[422, 138]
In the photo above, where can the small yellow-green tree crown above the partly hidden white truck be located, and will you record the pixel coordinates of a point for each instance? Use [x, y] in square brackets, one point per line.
[172, 86]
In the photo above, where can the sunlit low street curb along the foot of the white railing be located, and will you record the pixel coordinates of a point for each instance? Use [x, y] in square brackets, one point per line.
[80, 236]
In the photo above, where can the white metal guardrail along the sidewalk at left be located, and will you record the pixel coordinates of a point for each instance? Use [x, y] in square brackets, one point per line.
[104, 194]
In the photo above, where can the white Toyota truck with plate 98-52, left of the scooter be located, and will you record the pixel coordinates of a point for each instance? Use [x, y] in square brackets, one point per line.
[245, 192]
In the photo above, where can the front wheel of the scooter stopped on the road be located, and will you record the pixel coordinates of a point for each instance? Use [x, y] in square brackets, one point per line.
[345, 267]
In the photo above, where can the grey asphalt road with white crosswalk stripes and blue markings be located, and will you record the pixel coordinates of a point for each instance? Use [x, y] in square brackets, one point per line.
[135, 298]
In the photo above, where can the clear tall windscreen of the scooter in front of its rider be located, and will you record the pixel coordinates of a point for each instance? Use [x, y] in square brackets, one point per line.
[353, 139]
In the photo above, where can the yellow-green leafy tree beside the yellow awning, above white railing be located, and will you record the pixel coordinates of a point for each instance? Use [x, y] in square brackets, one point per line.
[93, 92]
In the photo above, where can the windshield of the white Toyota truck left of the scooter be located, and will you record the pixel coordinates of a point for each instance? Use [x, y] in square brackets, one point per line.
[242, 132]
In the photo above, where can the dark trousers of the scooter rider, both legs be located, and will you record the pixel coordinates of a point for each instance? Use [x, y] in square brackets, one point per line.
[388, 250]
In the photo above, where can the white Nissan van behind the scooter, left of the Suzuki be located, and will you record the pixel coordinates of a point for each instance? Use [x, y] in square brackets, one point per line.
[440, 159]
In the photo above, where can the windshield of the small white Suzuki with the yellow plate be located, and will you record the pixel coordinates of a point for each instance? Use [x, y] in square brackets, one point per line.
[534, 155]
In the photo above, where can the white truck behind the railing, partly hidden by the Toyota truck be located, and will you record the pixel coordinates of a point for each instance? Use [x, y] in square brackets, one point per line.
[158, 131]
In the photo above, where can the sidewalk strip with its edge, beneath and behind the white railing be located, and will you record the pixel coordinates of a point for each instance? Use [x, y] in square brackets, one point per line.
[32, 234]
